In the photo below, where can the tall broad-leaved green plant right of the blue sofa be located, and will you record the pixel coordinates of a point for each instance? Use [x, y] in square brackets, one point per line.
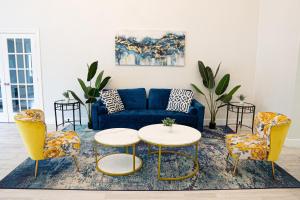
[216, 92]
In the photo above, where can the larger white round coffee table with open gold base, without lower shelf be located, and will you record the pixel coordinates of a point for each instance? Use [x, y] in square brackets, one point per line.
[178, 136]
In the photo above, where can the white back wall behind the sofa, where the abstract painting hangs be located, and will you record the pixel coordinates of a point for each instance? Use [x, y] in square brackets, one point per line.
[73, 33]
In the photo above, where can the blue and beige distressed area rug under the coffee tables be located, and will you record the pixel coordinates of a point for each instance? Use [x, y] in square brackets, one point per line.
[215, 171]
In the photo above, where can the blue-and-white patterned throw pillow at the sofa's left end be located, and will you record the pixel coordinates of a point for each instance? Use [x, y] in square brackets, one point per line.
[112, 100]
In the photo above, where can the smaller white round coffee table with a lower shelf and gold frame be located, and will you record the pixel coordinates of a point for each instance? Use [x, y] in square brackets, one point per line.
[117, 164]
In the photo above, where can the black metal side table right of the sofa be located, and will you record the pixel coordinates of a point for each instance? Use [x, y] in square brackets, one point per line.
[240, 109]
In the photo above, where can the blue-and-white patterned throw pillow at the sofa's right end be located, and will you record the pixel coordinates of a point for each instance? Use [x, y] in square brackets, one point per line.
[180, 100]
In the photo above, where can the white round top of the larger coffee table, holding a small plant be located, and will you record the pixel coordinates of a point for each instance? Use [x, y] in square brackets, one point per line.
[180, 135]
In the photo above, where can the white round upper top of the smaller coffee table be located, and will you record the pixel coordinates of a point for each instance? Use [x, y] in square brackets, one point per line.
[117, 137]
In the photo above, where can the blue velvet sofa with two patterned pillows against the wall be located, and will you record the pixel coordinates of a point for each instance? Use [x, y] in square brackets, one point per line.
[141, 111]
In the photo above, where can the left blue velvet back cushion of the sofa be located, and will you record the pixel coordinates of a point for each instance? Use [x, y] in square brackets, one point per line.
[133, 99]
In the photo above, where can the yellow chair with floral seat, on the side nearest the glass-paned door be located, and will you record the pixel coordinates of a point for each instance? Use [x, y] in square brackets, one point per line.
[41, 145]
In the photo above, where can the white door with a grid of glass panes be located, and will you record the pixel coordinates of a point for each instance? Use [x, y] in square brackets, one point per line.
[19, 74]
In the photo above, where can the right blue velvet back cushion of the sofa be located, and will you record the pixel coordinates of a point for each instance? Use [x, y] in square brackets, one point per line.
[158, 98]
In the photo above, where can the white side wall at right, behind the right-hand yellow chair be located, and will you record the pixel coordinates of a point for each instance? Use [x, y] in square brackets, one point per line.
[278, 58]
